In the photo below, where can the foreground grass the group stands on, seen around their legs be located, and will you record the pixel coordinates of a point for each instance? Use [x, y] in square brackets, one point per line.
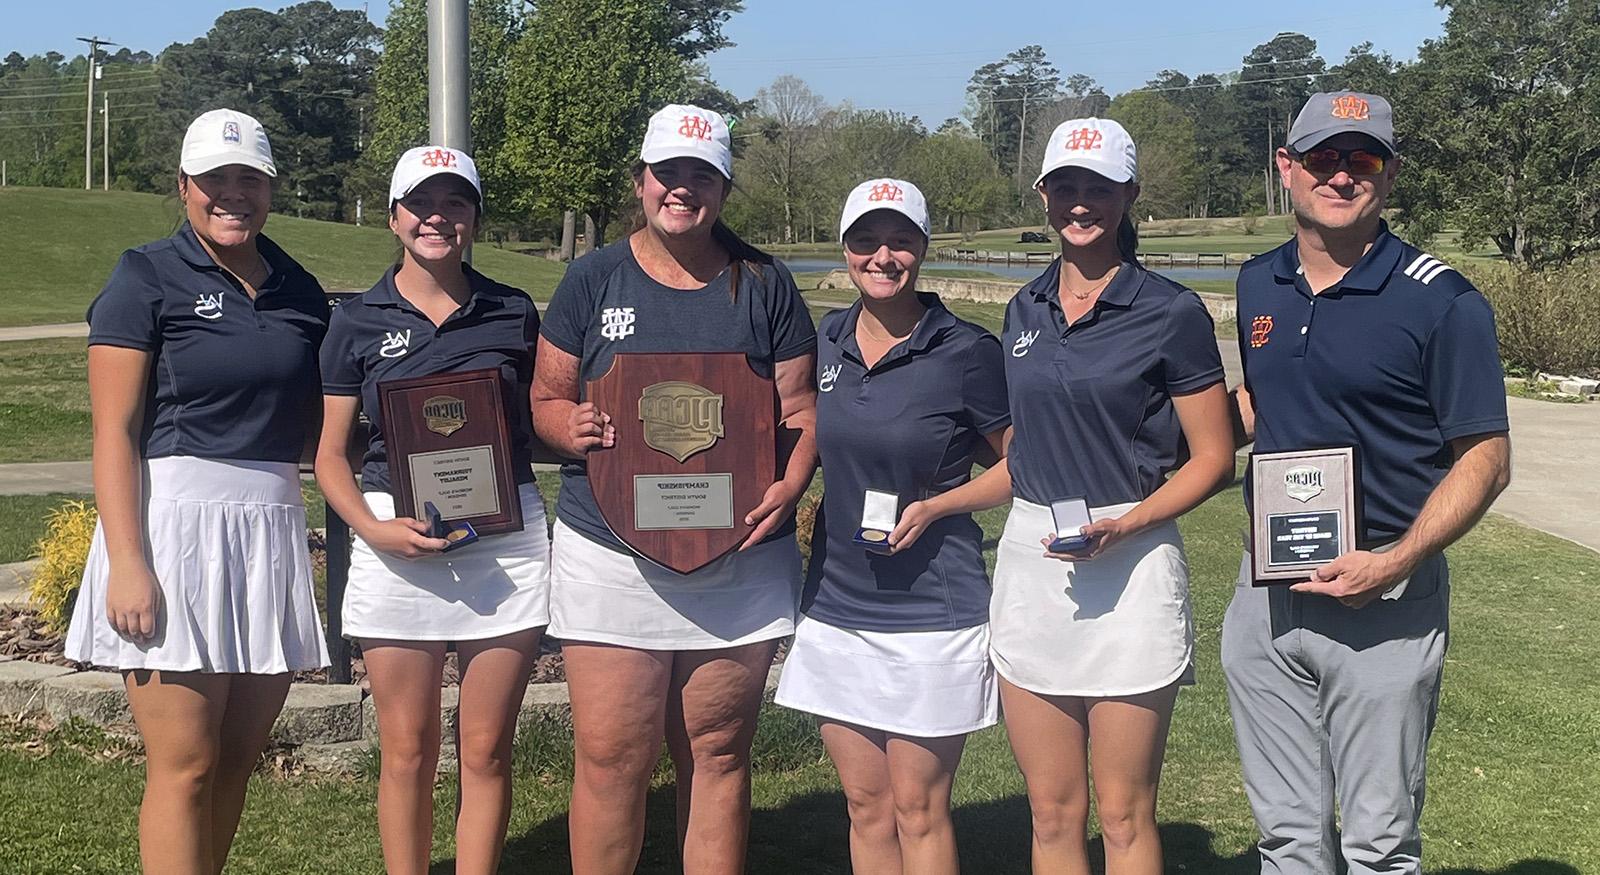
[1513, 783]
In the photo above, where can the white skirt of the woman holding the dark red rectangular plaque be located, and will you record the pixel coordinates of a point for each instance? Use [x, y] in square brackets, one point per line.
[494, 588]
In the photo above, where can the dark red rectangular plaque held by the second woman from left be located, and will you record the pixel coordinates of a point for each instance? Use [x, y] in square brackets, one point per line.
[449, 444]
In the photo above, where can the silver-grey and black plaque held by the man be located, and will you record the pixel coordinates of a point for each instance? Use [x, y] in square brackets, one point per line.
[1303, 513]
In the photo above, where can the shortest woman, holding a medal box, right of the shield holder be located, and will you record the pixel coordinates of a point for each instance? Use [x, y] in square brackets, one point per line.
[894, 652]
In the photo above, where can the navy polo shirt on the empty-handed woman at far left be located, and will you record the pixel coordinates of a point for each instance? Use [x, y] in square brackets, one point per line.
[231, 378]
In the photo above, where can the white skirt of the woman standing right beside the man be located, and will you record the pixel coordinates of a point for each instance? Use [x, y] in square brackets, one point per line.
[1113, 626]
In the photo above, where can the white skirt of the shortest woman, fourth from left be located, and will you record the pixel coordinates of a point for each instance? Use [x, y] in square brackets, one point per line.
[910, 684]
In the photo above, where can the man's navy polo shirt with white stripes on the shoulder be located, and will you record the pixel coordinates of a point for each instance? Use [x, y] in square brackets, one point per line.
[1398, 359]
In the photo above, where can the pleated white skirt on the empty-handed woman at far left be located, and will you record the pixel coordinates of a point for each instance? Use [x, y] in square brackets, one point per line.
[226, 541]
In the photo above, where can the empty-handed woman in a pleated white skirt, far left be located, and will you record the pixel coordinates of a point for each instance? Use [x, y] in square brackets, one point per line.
[204, 391]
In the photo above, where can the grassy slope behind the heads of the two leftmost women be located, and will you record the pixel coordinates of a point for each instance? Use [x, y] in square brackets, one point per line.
[74, 239]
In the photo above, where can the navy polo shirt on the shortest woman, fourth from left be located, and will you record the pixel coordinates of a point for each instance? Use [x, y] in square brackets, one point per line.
[910, 426]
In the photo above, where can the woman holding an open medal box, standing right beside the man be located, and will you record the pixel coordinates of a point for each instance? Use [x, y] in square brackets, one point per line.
[1118, 407]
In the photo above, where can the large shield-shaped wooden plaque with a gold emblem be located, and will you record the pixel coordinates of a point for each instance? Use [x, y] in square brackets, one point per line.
[695, 453]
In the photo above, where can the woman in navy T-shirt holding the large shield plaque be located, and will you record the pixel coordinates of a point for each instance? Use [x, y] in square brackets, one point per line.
[652, 653]
